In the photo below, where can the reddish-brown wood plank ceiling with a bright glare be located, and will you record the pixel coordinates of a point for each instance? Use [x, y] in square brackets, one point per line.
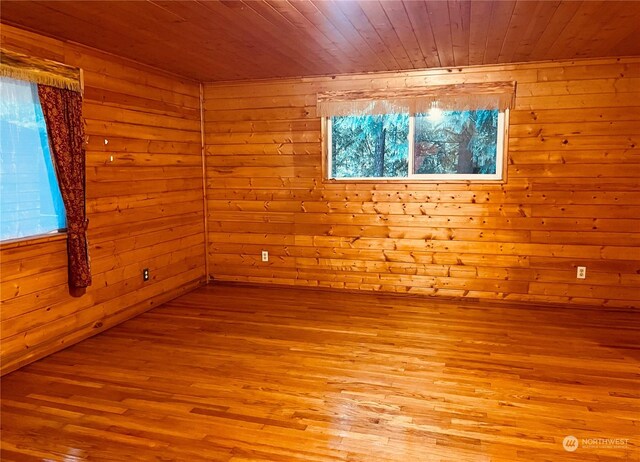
[232, 40]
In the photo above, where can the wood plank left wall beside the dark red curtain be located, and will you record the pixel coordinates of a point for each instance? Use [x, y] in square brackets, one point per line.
[145, 207]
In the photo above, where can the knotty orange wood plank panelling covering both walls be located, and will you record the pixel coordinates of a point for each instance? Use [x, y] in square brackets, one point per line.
[571, 198]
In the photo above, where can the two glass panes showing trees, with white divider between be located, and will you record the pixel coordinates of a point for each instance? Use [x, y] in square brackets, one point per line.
[436, 145]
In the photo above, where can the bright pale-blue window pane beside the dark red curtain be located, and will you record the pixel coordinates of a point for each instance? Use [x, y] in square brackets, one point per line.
[30, 200]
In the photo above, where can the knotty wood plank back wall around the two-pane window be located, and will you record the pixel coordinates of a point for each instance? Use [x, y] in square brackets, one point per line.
[572, 196]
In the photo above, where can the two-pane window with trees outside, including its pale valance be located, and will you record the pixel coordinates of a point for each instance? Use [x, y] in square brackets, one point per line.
[447, 133]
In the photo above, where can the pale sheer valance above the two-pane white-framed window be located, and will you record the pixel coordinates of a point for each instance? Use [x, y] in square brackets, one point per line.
[468, 96]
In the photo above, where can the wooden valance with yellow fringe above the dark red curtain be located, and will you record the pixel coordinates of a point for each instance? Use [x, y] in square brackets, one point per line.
[37, 70]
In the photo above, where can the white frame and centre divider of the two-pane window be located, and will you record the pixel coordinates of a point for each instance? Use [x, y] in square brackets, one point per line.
[501, 155]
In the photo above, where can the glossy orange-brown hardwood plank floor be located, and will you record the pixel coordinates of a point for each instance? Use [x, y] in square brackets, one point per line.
[241, 373]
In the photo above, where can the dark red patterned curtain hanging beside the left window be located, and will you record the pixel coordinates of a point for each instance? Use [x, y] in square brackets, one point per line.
[63, 114]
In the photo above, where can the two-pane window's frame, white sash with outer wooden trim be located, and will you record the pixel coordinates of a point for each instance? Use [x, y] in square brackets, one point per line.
[500, 177]
